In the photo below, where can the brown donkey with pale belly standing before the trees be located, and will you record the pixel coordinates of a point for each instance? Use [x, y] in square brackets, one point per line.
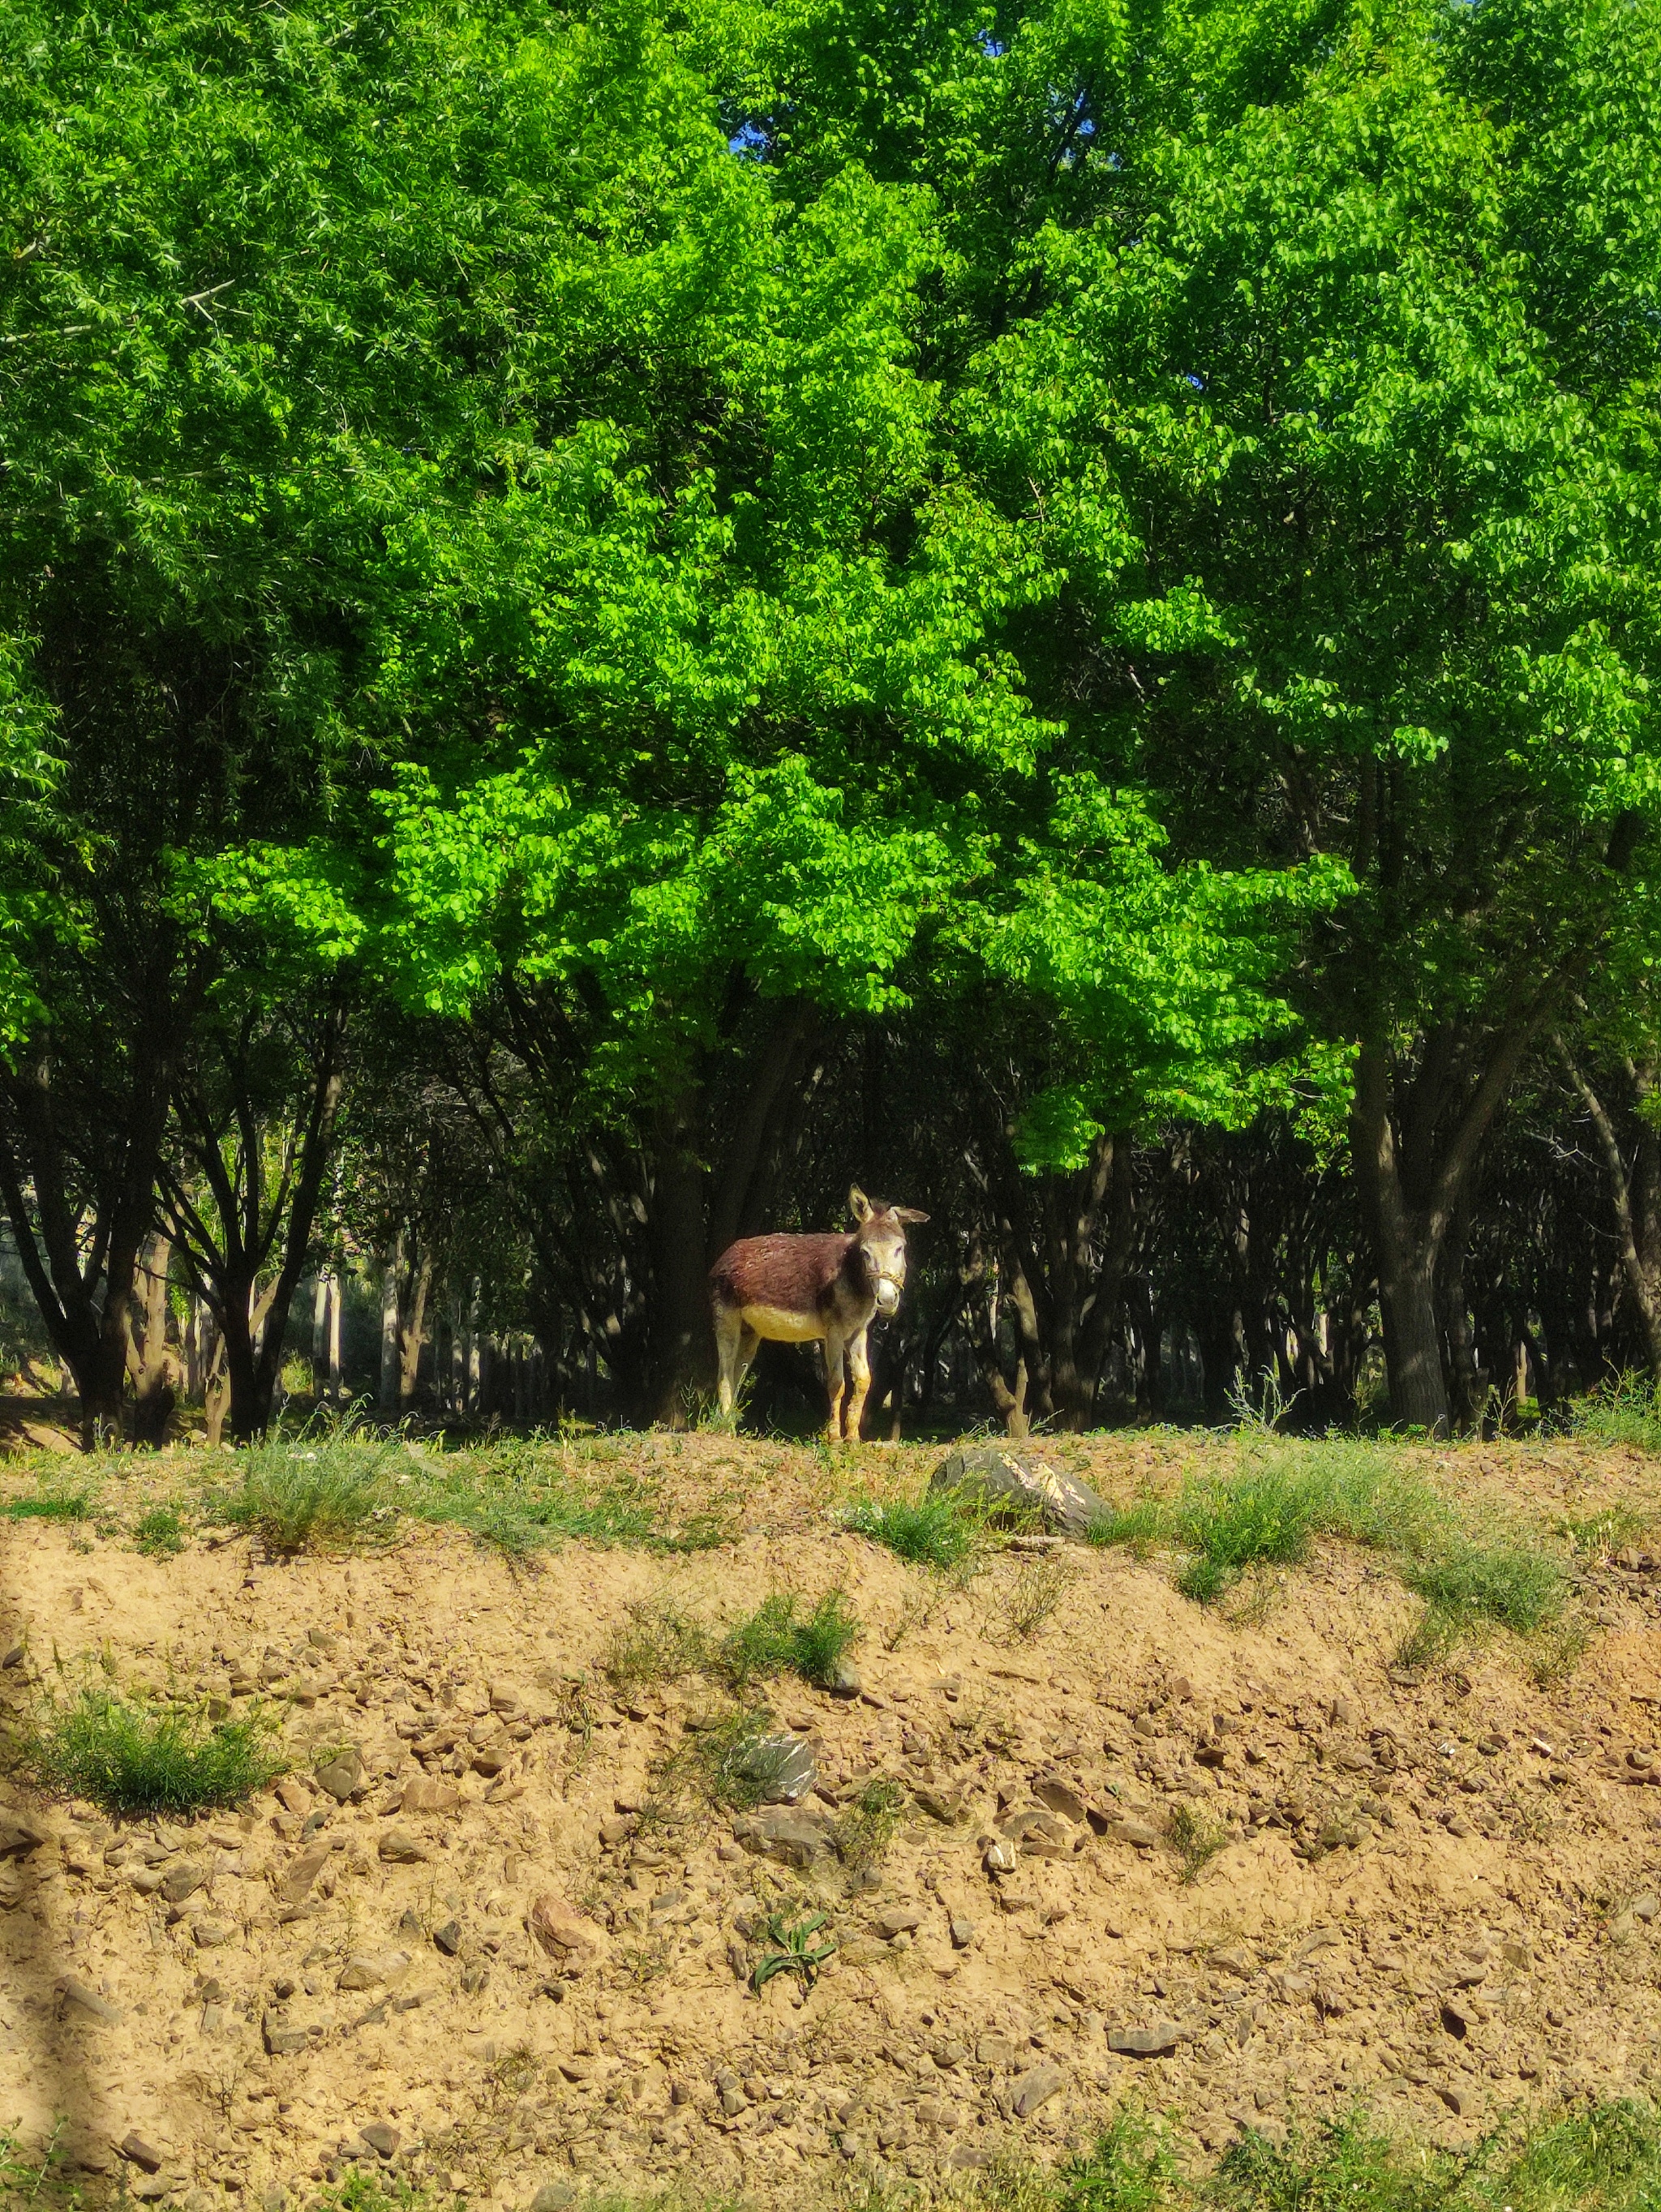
[800, 1291]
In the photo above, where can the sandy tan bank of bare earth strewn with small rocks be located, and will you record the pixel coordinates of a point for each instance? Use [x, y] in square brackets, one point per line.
[488, 1937]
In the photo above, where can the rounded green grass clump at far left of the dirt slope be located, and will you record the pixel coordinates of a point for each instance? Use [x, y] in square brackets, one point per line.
[138, 1757]
